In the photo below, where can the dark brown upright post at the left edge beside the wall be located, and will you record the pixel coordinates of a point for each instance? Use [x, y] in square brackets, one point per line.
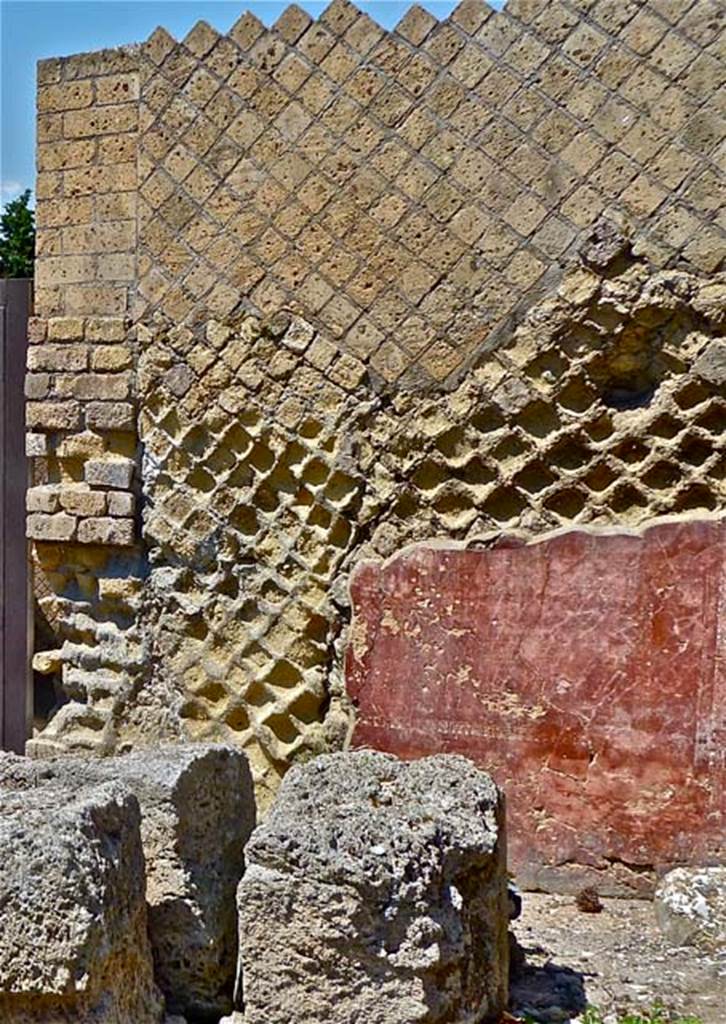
[15, 606]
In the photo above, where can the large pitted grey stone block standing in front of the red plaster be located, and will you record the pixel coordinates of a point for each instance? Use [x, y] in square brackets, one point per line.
[376, 891]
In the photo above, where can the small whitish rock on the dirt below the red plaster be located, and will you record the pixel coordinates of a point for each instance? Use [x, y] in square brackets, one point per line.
[691, 908]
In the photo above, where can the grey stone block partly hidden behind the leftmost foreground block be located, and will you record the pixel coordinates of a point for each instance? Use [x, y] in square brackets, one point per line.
[197, 814]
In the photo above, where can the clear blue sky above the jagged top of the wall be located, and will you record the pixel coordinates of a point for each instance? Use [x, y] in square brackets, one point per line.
[31, 30]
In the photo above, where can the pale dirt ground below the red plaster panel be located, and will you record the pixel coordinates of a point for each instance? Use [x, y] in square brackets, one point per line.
[616, 961]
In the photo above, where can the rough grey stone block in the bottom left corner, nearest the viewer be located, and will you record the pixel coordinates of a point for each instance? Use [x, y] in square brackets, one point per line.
[74, 946]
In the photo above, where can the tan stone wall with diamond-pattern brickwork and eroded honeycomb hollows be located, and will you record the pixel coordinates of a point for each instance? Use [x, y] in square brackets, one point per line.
[312, 292]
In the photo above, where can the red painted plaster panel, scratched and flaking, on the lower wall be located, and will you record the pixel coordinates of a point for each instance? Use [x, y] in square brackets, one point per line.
[587, 672]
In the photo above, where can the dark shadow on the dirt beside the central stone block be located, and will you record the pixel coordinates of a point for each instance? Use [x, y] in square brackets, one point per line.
[551, 994]
